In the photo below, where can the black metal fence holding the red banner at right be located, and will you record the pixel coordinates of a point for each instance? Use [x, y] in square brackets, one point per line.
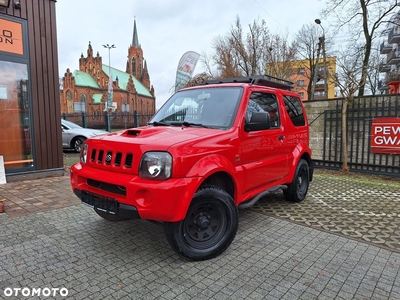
[360, 114]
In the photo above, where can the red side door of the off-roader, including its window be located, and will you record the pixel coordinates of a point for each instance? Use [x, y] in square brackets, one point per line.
[263, 153]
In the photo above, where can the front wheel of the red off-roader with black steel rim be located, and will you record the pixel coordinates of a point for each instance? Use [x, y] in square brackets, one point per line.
[209, 227]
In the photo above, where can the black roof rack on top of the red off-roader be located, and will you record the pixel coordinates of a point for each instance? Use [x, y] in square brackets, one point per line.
[264, 80]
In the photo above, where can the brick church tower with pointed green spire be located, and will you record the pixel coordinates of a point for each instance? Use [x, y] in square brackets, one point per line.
[136, 65]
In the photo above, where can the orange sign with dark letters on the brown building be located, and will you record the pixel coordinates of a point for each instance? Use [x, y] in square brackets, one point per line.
[11, 39]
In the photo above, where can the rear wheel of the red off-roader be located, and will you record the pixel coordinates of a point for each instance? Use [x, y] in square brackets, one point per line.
[297, 190]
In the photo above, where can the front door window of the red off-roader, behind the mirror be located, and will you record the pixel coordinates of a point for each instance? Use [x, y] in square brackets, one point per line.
[264, 102]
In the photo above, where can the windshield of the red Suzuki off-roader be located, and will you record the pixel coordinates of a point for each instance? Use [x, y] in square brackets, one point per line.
[205, 107]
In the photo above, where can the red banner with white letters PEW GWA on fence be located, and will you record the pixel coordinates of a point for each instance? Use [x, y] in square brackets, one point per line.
[385, 135]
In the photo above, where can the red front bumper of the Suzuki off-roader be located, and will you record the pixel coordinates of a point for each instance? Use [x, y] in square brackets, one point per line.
[135, 197]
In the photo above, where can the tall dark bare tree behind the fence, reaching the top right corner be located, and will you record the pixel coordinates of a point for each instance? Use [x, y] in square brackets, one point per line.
[363, 18]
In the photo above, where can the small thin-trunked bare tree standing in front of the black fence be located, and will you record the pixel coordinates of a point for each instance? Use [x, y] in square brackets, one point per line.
[349, 81]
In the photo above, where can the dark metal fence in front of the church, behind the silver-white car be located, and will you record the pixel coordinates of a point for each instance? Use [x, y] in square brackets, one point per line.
[116, 120]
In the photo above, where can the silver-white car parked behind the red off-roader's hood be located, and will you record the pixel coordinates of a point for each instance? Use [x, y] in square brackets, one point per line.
[74, 135]
